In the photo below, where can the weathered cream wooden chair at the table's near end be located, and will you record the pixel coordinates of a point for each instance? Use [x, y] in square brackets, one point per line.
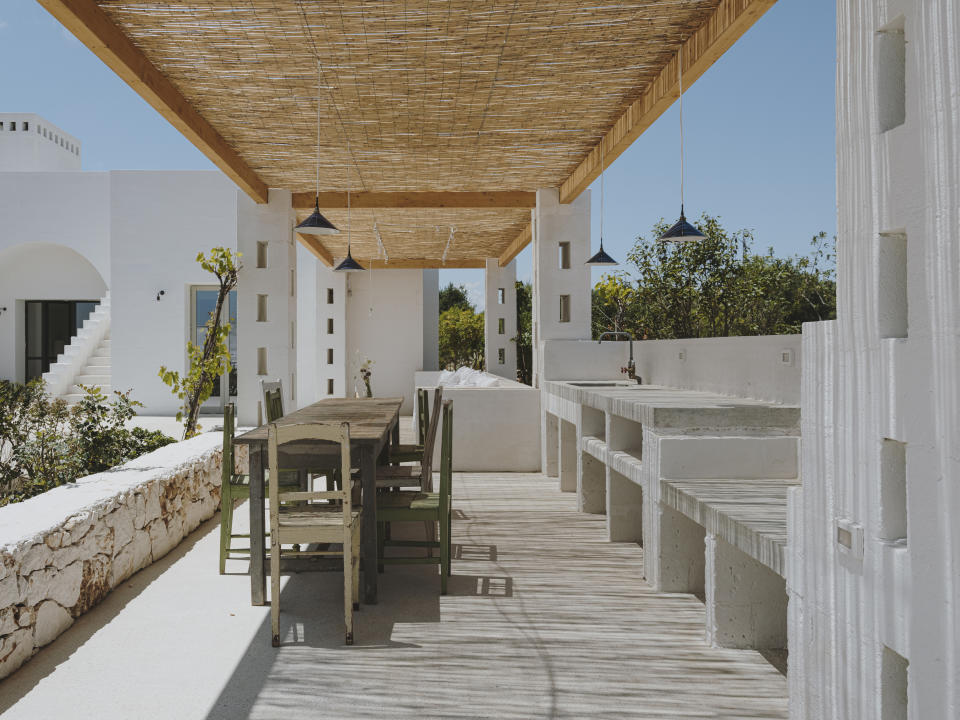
[298, 518]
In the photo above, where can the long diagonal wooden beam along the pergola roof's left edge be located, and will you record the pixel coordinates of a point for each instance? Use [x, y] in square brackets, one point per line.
[97, 31]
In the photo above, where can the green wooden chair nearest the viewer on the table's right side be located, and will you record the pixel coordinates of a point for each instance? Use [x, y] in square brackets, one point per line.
[412, 505]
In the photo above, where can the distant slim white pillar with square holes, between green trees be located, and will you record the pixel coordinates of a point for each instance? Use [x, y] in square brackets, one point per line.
[500, 318]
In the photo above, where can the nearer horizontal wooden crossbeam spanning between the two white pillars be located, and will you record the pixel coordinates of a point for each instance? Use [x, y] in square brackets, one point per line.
[365, 200]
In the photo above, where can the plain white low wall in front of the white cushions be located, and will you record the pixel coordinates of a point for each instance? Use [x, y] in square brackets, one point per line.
[495, 429]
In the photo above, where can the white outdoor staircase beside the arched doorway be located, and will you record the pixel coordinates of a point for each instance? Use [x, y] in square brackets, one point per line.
[86, 360]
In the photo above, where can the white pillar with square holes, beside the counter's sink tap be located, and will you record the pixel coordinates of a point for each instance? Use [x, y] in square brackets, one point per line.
[561, 280]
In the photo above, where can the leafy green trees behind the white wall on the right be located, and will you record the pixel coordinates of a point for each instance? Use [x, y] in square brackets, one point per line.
[715, 287]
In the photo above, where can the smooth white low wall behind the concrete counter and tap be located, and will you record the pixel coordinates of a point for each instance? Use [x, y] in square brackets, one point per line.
[765, 367]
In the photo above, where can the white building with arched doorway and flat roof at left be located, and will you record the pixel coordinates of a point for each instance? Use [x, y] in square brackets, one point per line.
[106, 237]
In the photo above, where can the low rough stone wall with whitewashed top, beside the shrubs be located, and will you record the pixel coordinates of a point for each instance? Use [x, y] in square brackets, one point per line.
[63, 551]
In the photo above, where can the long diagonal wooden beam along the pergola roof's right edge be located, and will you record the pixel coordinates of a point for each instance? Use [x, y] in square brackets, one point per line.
[730, 20]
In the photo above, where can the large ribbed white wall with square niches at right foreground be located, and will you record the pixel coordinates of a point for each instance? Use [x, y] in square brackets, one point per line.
[875, 622]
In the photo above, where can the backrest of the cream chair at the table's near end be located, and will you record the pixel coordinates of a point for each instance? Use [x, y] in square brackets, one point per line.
[279, 435]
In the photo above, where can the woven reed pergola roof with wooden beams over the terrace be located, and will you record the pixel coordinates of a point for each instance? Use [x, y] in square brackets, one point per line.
[453, 97]
